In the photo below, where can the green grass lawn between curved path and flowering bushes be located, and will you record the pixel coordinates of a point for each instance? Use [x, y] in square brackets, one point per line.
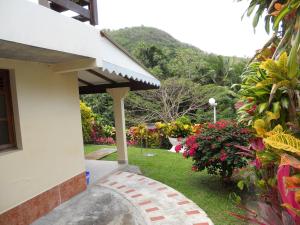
[172, 169]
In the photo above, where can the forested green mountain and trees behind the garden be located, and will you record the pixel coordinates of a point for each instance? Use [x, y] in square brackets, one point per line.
[183, 70]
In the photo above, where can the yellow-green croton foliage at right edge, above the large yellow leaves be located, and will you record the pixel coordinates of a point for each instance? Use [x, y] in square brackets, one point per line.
[268, 85]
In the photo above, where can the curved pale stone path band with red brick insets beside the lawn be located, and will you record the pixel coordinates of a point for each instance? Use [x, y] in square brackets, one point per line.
[158, 203]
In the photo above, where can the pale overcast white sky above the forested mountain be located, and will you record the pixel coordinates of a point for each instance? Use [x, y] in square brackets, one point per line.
[214, 26]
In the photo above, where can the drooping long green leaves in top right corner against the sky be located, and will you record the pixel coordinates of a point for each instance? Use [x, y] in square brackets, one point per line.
[284, 17]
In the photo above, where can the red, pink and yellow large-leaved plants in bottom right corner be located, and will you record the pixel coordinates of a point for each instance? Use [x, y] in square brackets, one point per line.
[276, 167]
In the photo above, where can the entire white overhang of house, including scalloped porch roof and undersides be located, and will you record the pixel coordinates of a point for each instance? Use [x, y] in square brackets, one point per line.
[68, 45]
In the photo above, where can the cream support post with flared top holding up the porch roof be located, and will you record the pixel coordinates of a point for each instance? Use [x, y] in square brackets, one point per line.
[118, 95]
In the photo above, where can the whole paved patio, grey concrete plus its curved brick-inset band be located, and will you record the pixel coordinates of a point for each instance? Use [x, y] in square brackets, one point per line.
[127, 199]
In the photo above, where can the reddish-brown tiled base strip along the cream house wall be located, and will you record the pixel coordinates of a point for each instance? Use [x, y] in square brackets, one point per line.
[40, 205]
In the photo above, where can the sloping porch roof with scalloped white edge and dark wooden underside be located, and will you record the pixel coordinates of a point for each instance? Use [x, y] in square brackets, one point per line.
[111, 74]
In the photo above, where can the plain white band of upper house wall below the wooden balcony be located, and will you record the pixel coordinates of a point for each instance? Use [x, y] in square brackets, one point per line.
[32, 24]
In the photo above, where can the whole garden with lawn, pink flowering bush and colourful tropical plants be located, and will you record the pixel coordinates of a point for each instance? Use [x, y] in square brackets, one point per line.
[245, 167]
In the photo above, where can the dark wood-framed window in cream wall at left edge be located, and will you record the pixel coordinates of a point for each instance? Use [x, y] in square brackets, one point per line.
[7, 135]
